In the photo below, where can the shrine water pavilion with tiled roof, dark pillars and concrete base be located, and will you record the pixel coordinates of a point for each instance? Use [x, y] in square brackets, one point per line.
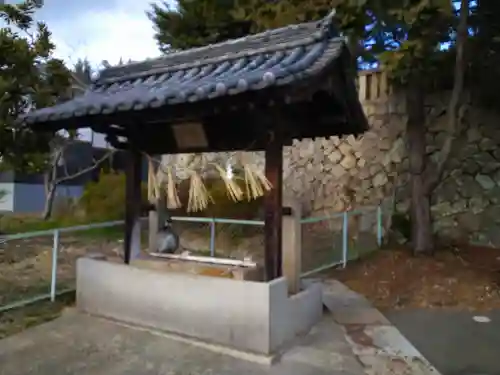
[256, 93]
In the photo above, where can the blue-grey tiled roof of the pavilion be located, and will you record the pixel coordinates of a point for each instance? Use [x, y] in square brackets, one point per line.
[272, 58]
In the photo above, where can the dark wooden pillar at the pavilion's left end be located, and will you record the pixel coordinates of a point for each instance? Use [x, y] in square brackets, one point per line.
[133, 204]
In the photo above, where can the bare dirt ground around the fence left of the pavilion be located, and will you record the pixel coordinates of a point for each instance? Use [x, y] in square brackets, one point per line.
[25, 272]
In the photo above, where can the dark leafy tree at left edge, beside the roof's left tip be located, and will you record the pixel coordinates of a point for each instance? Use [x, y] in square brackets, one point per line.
[30, 77]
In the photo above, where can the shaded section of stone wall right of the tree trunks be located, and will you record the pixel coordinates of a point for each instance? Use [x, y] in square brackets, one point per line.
[466, 205]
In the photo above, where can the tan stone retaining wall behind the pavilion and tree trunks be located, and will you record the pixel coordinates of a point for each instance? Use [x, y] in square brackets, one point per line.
[331, 175]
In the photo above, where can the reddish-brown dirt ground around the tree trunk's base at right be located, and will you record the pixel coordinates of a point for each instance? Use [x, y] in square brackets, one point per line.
[465, 278]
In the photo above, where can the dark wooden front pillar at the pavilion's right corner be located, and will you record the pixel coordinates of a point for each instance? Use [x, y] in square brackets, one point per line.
[273, 207]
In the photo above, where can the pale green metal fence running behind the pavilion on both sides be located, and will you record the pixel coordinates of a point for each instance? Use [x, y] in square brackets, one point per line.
[41, 265]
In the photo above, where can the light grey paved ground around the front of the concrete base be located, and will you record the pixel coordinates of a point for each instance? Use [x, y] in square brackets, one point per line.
[352, 339]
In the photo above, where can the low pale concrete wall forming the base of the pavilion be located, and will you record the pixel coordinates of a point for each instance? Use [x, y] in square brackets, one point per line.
[244, 315]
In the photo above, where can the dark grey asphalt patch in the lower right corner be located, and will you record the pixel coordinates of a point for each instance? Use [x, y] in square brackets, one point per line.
[452, 340]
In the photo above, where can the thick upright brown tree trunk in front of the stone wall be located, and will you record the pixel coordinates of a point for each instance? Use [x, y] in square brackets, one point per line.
[422, 239]
